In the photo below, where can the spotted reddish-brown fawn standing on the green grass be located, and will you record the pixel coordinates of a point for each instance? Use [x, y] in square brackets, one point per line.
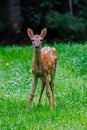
[43, 66]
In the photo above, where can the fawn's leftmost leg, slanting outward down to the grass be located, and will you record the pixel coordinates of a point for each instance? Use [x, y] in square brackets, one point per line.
[34, 85]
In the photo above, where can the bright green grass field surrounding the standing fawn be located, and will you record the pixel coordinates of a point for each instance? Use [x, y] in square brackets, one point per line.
[70, 90]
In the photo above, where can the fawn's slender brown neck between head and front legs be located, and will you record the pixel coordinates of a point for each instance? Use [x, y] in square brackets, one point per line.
[38, 61]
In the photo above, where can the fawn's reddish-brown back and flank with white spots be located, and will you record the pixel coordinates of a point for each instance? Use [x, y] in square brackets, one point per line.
[49, 57]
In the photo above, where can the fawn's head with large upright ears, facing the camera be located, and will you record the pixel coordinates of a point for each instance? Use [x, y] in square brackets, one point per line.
[36, 39]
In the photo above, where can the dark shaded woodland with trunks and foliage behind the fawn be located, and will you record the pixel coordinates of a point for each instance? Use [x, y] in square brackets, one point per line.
[66, 20]
